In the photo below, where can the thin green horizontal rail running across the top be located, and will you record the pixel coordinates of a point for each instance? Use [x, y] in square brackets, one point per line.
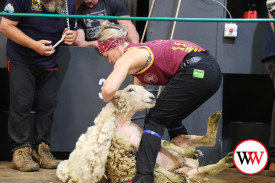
[138, 18]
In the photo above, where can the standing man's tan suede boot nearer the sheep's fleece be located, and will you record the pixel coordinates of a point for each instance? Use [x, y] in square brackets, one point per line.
[44, 157]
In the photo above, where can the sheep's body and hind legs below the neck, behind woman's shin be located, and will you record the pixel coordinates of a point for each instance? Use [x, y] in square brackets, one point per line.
[176, 161]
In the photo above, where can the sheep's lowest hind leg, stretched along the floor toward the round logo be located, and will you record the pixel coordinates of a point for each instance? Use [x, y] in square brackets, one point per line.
[213, 169]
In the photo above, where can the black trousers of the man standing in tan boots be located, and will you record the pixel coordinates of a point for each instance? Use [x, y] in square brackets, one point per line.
[29, 86]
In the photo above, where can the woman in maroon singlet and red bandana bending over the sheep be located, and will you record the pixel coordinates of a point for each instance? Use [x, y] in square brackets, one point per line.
[191, 76]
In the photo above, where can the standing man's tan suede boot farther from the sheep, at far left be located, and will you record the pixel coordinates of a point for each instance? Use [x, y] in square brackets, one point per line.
[22, 160]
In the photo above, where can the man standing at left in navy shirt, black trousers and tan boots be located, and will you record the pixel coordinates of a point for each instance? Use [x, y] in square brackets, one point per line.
[32, 74]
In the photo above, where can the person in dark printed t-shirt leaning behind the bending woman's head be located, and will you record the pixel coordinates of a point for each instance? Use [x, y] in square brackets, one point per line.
[88, 28]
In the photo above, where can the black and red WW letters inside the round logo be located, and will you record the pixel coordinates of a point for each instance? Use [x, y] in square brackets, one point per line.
[247, 157]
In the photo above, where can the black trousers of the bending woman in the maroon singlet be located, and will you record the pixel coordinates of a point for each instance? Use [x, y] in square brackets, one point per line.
[184, 93]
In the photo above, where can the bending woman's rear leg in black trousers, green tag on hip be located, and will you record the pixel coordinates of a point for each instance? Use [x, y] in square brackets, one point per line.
[187, 93]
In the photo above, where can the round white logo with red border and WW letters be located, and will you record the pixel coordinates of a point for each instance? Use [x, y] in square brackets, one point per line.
[250, 157]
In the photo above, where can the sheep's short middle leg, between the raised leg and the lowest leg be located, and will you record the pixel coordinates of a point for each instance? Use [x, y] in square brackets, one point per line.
[188, 153]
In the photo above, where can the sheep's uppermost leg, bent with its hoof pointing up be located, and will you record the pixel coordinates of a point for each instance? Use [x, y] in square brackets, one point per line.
[208, 140]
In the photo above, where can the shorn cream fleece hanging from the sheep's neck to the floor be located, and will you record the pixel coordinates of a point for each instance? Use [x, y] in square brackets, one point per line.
[91, 151]
